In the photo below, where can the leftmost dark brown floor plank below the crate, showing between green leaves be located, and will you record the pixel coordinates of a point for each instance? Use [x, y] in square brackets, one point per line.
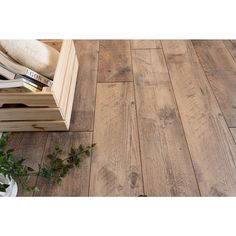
[29, 145]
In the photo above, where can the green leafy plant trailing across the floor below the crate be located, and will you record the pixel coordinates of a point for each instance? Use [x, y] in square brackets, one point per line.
[52, 171]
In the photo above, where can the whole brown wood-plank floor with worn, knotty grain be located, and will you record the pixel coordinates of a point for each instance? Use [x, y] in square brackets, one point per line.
[163, 115]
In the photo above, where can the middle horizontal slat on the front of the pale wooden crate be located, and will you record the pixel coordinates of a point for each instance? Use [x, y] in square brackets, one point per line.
[7, 114]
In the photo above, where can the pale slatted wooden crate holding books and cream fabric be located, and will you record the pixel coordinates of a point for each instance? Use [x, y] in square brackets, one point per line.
[50, 109]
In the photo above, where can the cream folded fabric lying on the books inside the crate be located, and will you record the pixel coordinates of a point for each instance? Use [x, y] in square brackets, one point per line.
[33, 54]
